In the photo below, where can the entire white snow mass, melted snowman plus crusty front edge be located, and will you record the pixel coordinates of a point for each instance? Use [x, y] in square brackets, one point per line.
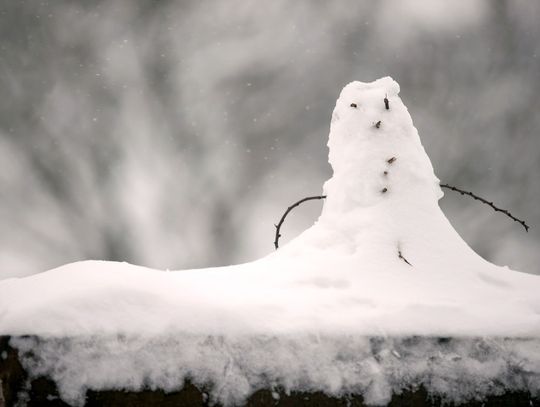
[333, 310]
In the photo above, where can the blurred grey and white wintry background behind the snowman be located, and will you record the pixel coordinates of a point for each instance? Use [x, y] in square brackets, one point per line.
[174, 134]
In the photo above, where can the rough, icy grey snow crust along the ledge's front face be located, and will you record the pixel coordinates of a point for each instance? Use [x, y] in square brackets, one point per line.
[230, 369]
